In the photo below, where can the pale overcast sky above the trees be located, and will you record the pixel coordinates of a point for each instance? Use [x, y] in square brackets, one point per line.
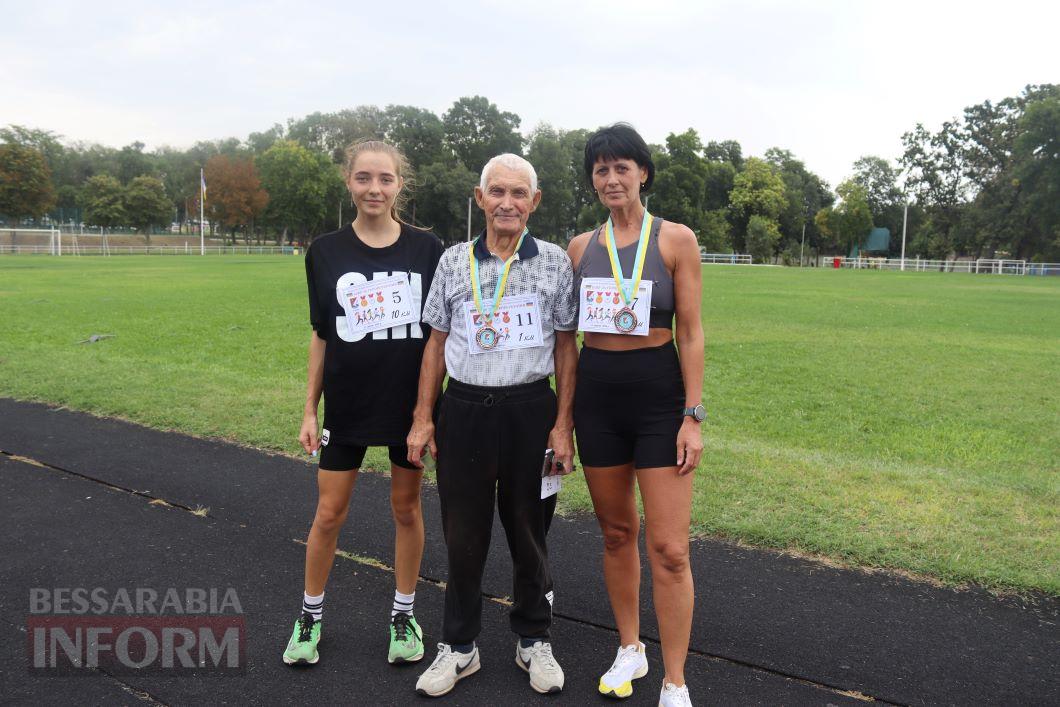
[829, 81]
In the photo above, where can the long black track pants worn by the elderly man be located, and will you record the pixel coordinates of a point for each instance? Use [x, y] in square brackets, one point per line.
[491, 446]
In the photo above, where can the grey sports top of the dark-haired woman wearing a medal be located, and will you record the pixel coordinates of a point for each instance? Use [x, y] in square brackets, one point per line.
[596, 263]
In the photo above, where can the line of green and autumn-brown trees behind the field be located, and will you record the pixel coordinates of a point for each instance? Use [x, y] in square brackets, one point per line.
[985, 185]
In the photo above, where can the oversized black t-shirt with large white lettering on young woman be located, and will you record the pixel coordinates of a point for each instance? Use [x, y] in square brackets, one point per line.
[370, 383]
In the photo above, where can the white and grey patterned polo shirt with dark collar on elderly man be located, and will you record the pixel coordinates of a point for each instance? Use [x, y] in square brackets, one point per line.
[541, 269]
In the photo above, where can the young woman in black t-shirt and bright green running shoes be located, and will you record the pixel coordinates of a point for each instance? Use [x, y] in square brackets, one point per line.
[368, 376]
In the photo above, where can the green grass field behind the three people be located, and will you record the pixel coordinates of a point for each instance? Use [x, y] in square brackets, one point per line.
[908, 421]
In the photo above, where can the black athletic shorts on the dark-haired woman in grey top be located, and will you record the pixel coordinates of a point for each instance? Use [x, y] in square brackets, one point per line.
[628, 408]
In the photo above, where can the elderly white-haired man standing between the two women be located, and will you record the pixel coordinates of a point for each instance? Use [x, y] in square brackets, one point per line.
[503, 314]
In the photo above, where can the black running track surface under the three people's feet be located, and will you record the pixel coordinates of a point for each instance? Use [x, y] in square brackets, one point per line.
[77, 509]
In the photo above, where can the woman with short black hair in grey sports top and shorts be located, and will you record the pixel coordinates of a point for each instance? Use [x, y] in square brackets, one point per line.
[638, 411]
